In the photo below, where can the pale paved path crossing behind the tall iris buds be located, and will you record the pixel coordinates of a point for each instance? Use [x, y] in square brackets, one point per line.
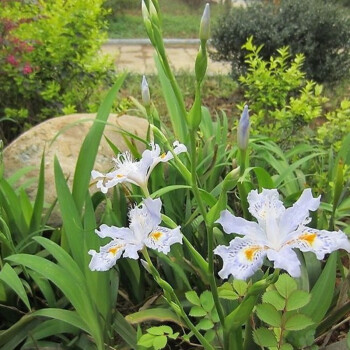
[136, 55]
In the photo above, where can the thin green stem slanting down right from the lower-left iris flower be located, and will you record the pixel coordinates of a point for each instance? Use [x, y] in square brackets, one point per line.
[174, 299]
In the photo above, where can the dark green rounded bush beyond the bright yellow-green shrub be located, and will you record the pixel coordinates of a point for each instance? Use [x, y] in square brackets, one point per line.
[318, 29]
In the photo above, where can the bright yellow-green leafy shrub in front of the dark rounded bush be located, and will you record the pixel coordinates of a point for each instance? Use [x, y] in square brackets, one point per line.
[283, 103]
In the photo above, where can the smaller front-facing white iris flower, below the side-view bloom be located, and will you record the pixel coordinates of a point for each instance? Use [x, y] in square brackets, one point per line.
[144, 230]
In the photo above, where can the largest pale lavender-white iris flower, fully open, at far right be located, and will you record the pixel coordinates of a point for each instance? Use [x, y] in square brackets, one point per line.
[275, 235]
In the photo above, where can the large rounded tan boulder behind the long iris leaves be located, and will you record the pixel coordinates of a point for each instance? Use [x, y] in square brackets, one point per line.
[63, 136]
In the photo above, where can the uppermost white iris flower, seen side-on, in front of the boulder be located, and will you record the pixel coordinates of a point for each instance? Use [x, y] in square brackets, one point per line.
[135, 172]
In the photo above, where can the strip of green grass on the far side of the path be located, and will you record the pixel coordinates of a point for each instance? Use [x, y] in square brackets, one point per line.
[179, 20]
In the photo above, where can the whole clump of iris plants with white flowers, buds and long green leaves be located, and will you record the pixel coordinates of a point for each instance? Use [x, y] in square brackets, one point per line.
[205, 240]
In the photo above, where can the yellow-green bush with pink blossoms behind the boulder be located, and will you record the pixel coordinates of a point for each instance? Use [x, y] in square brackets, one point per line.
[62, 72]
